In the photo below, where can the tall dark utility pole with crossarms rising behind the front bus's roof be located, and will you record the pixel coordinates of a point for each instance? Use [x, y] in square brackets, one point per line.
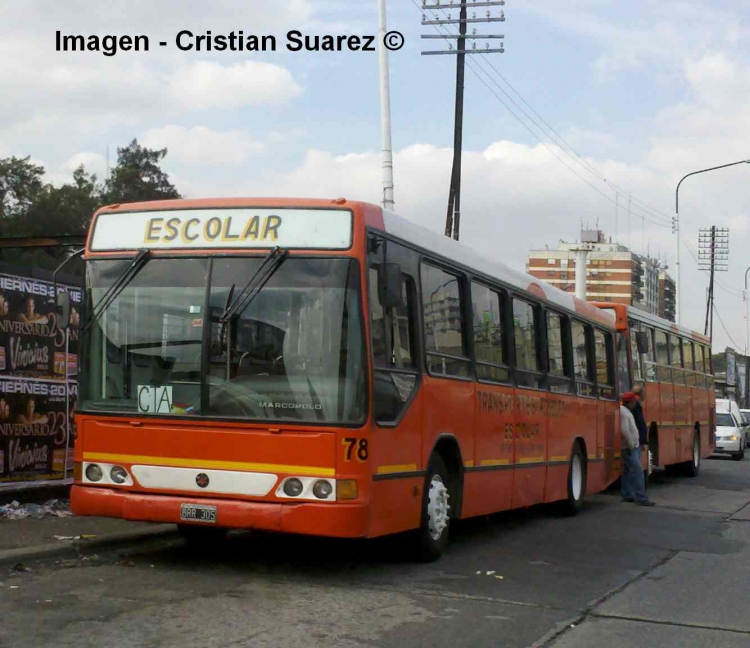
[453, 217]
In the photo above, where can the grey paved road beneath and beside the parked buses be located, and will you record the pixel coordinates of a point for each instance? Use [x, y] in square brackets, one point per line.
[617, 575]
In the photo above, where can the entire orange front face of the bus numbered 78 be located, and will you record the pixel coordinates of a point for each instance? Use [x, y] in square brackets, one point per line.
[225, 369]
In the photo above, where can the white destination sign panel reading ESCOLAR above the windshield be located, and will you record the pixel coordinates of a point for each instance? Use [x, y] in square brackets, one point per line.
[329, 229]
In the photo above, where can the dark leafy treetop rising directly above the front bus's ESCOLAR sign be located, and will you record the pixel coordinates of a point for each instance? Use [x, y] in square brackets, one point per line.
[138, 177]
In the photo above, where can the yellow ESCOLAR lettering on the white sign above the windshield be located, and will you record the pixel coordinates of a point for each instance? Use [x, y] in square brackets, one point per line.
[215, 229]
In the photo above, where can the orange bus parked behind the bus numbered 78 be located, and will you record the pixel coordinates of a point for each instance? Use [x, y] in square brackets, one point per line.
[673, 365]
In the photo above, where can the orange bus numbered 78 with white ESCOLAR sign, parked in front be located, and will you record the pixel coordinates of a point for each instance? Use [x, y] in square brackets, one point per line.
[329, 368]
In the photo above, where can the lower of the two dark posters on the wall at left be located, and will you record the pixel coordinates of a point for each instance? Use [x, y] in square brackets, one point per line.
[34, 430]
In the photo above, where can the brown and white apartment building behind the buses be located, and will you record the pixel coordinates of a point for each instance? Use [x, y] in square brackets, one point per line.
[613, 273]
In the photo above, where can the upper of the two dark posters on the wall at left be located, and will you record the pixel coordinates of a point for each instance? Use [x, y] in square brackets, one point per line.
[32, 345]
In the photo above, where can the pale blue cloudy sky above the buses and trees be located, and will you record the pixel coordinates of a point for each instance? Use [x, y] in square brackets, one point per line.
[591, 116]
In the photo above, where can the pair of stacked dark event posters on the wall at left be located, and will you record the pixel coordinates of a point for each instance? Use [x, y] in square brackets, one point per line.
[36, 394]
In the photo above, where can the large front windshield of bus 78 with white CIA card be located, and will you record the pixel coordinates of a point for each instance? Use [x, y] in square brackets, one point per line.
[165, 345]
